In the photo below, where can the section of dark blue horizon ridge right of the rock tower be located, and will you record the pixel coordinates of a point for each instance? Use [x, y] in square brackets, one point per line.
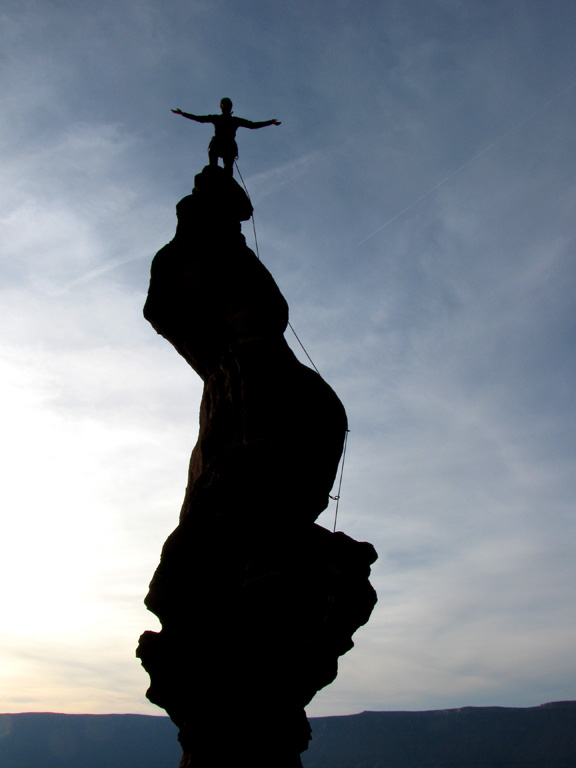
[471, 737]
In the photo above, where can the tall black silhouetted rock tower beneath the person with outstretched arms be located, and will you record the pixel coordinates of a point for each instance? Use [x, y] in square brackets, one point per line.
[256, 601]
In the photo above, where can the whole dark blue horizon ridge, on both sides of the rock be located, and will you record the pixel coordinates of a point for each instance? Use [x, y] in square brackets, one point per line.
[469, 737]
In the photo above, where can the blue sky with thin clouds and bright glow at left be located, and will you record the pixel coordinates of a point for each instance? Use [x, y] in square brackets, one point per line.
[416, 208]
